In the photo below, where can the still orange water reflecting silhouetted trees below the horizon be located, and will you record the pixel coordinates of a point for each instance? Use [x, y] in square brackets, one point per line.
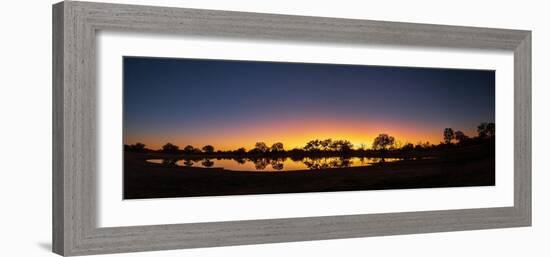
[278, 164]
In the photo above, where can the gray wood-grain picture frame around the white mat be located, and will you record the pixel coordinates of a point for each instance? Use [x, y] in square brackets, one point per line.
[75, 25]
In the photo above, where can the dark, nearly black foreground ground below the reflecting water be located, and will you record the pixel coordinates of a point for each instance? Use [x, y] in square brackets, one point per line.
[149, 180]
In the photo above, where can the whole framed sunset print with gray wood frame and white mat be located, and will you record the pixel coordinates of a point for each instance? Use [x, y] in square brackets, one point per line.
[182, 128]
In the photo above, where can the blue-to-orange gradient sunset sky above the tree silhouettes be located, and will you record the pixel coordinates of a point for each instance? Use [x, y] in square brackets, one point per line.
[232, 104]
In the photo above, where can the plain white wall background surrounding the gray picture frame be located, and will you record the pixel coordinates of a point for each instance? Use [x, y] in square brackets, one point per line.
[25, 112]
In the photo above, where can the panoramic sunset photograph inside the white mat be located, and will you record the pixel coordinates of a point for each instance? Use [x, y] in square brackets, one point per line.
[204, 127]
